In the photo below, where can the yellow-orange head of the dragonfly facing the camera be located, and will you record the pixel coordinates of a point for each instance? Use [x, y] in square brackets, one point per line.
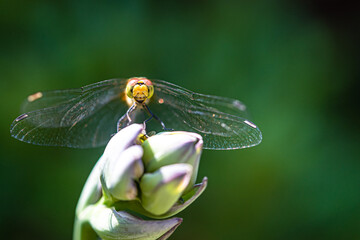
[139, 89]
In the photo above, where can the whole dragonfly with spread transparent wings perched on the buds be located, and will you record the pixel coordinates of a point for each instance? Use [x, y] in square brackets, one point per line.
[87, 117]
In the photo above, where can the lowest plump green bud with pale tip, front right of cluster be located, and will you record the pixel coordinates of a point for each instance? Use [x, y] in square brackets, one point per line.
[163, 188]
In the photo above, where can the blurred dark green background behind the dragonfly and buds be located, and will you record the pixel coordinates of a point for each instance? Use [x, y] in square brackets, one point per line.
[294, 63]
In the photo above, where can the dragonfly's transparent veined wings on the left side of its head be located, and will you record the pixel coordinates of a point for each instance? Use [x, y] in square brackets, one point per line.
[80, 118]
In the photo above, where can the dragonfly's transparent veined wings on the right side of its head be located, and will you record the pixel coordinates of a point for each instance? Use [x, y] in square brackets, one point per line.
[221, 121]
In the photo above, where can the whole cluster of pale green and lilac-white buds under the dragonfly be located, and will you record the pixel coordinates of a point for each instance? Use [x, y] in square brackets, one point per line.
[155, 179]
